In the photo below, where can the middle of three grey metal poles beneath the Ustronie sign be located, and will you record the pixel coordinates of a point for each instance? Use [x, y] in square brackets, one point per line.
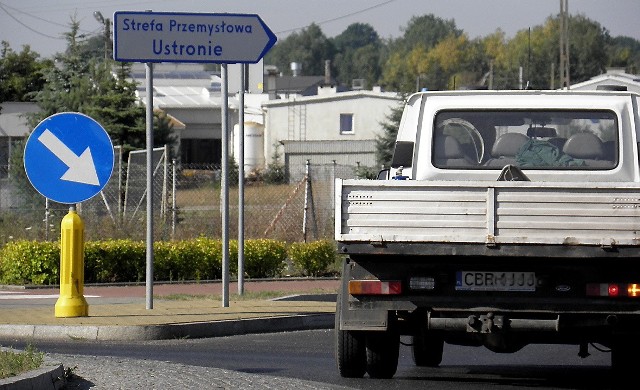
[225, 187]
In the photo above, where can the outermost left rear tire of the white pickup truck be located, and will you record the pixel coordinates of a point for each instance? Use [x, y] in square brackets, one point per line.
[350, 349]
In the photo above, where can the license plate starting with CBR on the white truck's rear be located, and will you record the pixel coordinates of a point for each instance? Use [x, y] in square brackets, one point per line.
[495, 281]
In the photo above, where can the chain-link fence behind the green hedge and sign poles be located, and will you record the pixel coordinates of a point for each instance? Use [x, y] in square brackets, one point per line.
[187, 204]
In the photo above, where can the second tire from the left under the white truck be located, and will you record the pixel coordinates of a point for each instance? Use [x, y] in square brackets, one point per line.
[382, 353]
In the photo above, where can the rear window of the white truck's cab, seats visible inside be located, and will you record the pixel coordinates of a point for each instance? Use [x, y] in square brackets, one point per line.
[526, 139]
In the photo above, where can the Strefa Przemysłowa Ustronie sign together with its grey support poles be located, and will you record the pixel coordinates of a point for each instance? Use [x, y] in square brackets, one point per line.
[187, 37]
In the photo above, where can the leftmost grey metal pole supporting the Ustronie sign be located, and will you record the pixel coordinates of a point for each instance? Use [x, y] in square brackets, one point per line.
[149, 140]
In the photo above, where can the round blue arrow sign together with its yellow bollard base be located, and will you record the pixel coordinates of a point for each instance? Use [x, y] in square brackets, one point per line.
[69, 158]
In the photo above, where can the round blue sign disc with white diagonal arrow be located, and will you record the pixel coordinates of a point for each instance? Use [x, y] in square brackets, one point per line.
[68, 157]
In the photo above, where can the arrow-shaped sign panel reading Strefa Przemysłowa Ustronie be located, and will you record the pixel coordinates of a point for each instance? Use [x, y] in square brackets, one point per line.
[190, 37]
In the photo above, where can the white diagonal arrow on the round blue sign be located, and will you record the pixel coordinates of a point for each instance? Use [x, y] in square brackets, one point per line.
[81, 168]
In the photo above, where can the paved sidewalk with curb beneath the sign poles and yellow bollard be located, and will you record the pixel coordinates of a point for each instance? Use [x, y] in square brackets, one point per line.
[120, 312]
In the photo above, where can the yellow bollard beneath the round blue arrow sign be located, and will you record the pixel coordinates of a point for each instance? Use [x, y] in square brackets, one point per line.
[71, 302]
